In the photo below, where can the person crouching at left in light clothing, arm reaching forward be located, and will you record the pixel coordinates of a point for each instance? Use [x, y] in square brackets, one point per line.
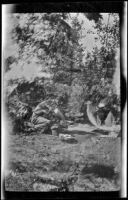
[46, 114]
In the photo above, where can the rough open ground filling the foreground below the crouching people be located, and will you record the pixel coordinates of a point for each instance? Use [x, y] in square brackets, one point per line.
[39, 162]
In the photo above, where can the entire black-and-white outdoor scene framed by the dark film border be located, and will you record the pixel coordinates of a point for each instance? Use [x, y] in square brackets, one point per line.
[61, 102]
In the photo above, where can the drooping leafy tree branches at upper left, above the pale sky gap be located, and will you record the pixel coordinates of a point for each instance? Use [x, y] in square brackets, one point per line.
[51, 42]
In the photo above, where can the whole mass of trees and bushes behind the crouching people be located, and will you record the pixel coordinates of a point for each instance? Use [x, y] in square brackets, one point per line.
[53, 41]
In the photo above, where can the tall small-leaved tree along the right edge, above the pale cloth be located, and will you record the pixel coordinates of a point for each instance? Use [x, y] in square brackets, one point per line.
[100, 64]
